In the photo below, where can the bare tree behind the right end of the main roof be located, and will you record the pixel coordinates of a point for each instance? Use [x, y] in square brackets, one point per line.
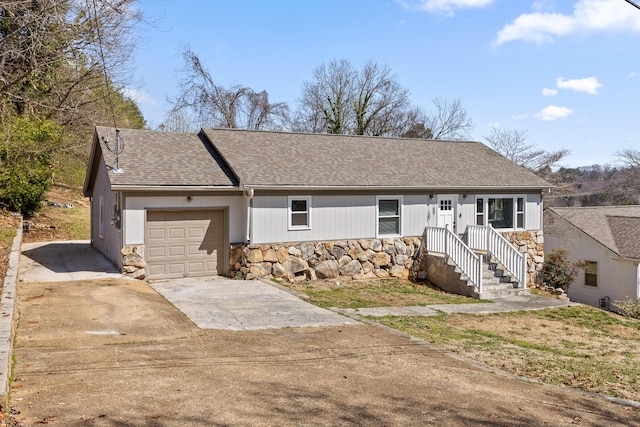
[512, 144]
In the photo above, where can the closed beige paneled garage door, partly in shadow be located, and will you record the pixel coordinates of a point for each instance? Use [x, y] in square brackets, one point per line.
[185, 243]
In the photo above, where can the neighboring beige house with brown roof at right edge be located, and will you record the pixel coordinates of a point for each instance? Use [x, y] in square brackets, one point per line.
[607, 238]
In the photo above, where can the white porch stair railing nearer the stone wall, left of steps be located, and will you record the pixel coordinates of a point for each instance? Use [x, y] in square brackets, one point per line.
[444, 241]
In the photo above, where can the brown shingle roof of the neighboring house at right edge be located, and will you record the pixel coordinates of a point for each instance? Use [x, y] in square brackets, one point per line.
[616, 227]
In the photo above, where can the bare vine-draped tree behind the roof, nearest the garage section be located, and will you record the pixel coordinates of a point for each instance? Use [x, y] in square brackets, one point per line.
[211, 104]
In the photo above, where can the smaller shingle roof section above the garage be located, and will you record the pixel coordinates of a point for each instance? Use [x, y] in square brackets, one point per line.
[152, 158]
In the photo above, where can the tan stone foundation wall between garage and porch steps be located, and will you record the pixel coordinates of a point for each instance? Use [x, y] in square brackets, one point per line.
[359, 259]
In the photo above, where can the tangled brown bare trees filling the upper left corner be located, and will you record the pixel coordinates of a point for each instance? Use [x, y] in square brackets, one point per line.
[62, 58]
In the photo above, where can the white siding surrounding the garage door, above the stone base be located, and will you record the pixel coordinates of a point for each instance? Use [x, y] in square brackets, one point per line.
[135, 208]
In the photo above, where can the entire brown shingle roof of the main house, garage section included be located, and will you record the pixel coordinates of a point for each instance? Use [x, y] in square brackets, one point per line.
[234, 157]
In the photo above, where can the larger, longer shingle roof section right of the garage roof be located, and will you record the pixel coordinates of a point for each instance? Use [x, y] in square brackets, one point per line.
[262, 158]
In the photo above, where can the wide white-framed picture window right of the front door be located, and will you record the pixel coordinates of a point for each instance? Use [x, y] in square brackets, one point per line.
[501, 212]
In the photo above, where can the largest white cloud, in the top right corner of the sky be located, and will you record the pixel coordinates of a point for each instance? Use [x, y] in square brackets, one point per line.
[588, 16]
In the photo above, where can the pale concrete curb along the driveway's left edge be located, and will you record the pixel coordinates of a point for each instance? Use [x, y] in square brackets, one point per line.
[7, 316]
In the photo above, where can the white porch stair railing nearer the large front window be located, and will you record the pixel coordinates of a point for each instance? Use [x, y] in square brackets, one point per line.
[487, 239]
